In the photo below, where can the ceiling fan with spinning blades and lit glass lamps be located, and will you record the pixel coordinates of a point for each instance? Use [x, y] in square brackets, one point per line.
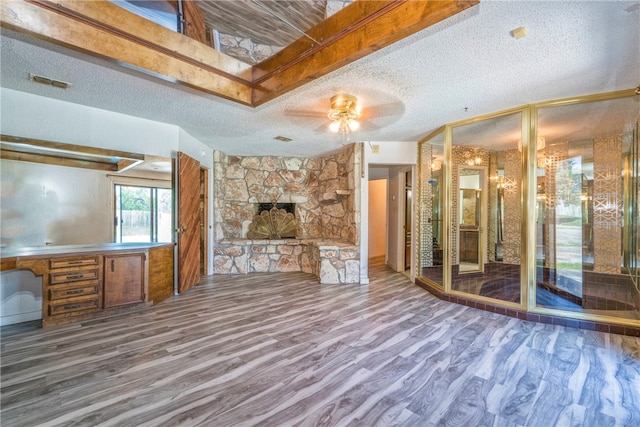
[346, 115]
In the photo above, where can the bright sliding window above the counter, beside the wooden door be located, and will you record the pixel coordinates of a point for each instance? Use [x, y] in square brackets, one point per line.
[142, 214]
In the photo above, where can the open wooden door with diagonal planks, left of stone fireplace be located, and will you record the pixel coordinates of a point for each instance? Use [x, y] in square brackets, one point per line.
[188, 240]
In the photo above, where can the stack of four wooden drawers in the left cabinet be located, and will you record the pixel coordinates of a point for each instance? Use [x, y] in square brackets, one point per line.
[73, 287]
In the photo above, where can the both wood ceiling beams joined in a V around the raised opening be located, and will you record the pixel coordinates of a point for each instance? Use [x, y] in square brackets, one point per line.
[104, 29]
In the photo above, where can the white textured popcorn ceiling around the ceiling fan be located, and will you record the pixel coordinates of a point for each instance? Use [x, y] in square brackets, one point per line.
[466, 66]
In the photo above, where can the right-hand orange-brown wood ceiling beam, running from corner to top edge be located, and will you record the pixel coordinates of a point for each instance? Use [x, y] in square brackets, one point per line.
[352, 33]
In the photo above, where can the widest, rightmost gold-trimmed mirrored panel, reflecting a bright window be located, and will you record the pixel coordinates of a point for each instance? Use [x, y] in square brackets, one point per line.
[587, 208]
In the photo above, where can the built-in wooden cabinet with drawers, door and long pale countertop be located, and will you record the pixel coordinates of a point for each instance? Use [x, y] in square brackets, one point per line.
[90, 281]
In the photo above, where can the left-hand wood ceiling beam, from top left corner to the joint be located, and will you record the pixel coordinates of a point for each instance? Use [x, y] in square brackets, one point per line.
[104, 29]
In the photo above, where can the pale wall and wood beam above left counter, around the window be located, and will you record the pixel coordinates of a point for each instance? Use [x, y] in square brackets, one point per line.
[63, 194]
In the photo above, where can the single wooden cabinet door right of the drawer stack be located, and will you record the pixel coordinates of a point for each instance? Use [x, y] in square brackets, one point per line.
[123, 279]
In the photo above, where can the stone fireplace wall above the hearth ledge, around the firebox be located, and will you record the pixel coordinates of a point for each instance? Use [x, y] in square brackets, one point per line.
[321, 188]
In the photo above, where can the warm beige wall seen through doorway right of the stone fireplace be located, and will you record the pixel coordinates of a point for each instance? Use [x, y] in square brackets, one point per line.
[377, 217]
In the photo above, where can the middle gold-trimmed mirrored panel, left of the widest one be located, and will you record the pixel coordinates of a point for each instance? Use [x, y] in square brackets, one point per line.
[486, 208]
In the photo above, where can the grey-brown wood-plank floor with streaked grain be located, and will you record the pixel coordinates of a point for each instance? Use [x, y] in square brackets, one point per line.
[282, 350]
